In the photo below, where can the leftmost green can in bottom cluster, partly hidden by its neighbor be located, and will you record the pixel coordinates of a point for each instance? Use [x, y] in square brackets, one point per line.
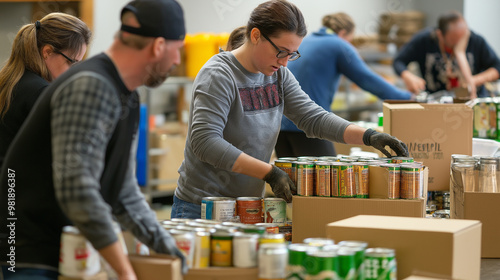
[297, 254]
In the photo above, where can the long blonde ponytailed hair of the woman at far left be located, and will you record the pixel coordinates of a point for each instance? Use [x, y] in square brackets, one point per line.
[61, 31]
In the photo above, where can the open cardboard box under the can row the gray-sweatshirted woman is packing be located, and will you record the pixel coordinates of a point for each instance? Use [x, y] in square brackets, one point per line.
[311, 215]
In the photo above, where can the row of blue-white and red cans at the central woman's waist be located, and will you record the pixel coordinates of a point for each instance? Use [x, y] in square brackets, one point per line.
[247, 210]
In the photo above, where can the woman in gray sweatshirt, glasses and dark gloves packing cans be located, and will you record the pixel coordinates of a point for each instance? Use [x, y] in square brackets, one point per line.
[238, 100]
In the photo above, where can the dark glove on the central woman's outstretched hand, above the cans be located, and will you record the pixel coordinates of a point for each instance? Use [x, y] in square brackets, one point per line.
[380, 140]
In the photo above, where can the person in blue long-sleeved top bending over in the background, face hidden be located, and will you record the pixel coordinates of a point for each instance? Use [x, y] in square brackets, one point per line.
[327, 55]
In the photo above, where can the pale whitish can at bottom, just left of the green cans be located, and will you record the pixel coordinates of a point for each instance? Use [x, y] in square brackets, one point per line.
[273, 260]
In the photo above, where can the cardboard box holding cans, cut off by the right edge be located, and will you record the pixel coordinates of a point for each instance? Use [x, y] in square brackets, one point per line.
[484, 207]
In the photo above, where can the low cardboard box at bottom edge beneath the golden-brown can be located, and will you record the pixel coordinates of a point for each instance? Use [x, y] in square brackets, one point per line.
[222, 273]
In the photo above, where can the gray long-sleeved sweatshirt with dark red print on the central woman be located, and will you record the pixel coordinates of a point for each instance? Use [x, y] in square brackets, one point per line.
[234, 111]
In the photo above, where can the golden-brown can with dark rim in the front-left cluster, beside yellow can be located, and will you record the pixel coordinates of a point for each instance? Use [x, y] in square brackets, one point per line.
[221, 249]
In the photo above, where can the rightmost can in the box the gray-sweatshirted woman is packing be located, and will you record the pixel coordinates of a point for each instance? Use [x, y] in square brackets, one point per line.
[412, 185]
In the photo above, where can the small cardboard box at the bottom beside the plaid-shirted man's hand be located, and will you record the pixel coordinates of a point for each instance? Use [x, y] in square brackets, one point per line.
[156, 267]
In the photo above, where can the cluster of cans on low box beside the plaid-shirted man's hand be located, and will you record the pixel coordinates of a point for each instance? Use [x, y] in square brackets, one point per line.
[207, 243]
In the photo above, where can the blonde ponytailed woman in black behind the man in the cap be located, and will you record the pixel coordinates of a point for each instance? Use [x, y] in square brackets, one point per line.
[41, 52]
